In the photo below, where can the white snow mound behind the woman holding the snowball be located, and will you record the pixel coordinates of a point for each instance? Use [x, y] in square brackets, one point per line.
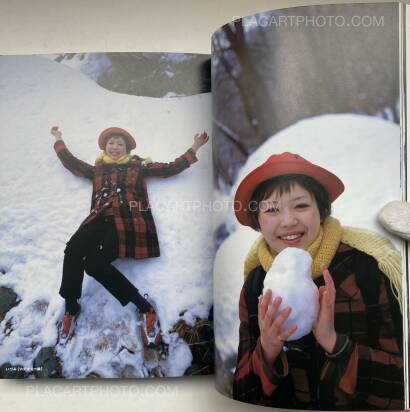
[363, 151]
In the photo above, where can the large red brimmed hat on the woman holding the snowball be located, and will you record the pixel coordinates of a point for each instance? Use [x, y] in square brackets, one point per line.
[278, 165]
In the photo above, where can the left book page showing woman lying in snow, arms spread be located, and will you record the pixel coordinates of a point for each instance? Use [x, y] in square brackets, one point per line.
[134, 250]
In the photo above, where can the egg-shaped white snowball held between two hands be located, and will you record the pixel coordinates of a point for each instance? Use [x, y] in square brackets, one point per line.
[290, 277]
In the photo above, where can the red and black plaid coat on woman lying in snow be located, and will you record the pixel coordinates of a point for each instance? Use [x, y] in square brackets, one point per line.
[120, 190]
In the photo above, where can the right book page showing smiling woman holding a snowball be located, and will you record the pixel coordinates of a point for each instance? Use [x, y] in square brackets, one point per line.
[308, 93]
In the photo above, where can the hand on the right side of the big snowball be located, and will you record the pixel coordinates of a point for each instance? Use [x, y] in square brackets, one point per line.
[324, 330]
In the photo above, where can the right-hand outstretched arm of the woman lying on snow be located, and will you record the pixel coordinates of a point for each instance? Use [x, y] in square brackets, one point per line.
[179, 164]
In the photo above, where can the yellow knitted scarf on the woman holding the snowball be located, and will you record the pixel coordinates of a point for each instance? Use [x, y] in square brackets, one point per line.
[324, 247]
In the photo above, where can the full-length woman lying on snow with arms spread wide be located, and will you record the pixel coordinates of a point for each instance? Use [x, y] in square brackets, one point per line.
[120, 224]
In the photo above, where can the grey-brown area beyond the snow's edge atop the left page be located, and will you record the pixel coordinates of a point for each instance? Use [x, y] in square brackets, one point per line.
[143, 74]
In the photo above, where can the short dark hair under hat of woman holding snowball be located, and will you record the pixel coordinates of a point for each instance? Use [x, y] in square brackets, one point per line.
[283, 184]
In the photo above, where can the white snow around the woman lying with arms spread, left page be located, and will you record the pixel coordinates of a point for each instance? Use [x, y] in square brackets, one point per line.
[42, 205]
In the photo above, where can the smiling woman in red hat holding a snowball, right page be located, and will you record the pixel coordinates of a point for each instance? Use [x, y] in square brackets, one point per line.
[323, 328]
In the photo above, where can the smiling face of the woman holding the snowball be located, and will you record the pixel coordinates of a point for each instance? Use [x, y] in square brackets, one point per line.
[292, 219]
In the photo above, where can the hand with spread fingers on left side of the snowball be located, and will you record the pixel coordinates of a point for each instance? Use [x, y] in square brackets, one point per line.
[272, 336]
